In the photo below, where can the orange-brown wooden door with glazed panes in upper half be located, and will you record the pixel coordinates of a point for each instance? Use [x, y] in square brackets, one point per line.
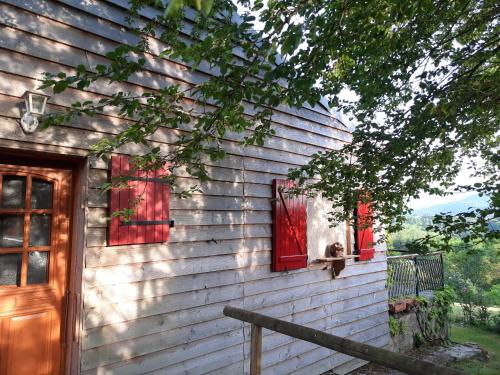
[34, 231]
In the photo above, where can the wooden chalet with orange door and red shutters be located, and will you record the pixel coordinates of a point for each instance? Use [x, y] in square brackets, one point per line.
[83, 294]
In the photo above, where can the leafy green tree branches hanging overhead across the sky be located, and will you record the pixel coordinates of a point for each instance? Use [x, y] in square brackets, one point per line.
[422, 78]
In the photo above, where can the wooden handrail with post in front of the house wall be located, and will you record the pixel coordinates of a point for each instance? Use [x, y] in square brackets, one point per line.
[369, 353]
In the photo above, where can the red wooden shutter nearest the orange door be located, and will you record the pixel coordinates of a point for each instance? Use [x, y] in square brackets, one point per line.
[150, 221]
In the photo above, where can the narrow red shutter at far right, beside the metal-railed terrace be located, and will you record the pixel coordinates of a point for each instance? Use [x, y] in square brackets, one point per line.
[364, 231]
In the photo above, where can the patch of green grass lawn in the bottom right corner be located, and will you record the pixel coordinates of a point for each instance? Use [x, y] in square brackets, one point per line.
[487, 340]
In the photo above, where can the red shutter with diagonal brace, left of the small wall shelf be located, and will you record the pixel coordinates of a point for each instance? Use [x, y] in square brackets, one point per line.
[289, 228]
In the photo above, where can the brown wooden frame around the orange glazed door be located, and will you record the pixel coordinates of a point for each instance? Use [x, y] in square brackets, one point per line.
[71, 347]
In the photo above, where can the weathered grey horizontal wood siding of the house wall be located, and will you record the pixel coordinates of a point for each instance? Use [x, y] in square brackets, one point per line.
[158, 308]
